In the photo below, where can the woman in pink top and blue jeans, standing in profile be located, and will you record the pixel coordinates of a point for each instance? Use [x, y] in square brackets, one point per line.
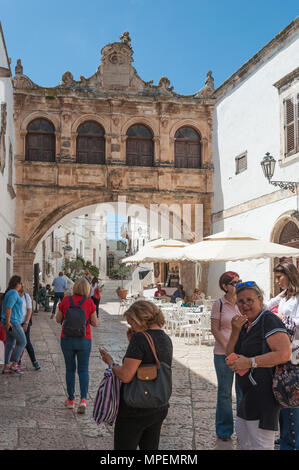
[223, 311]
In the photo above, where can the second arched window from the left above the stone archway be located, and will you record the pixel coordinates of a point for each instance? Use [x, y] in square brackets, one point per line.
[90, 144]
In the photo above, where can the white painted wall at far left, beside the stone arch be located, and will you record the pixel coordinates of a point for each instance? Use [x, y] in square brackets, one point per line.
[7, 204]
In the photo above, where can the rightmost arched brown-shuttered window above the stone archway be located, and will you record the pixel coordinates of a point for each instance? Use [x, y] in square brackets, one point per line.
[187, 148]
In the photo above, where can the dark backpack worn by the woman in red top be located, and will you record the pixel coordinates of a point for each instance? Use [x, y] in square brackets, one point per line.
[75, 324]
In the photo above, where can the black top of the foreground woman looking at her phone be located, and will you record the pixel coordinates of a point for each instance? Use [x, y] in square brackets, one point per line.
[140, 349]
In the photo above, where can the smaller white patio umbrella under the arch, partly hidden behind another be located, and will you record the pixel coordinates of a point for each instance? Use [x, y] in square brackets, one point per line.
[159, 250]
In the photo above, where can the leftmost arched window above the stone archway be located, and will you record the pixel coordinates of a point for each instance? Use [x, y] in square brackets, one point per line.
[40, 141]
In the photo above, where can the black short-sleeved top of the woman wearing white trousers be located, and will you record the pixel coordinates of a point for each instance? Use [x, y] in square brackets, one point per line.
[258, 401]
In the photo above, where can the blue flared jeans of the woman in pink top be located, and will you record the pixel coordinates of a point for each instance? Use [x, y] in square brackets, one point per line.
[224, 411]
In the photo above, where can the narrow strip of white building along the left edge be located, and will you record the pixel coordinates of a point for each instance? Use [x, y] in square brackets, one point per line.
[7, 175]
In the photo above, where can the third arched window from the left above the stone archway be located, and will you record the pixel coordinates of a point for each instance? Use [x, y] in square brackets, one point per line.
[140, 146]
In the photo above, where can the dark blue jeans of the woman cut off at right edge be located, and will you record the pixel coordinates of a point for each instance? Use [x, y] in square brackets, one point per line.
[289, 428]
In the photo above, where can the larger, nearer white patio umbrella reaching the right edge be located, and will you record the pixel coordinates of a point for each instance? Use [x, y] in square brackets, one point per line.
[232, 245]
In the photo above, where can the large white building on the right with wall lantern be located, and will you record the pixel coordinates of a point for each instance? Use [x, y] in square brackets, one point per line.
[257, 112]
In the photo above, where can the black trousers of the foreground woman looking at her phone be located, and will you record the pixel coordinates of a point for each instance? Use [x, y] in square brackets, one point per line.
[143, 431]
